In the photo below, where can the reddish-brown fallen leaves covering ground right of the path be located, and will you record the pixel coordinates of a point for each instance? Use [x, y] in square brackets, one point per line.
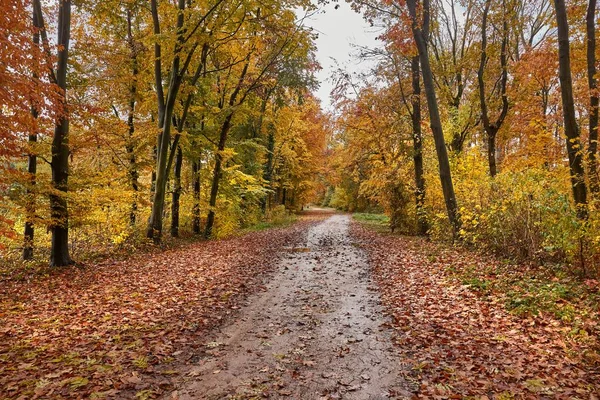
[458, 340]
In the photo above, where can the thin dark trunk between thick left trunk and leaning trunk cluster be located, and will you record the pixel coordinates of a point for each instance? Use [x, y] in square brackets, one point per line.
[130, 146]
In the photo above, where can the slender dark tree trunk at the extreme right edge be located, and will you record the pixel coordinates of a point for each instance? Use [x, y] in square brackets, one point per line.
[593, 86]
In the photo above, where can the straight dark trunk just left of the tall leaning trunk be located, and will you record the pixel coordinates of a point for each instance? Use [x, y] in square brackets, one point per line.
[422, 225]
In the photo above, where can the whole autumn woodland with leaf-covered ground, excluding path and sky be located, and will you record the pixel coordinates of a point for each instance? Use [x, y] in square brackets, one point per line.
[154, 149]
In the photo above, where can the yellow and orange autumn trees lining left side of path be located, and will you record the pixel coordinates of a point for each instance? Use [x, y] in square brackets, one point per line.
[208, 102]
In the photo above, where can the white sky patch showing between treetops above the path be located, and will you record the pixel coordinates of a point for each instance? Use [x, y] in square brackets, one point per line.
[338, 30]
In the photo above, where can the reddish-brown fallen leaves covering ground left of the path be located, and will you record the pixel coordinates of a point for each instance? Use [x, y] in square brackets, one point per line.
[111, 328]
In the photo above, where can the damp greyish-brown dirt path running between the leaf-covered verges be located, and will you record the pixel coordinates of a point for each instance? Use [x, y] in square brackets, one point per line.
[315, 332]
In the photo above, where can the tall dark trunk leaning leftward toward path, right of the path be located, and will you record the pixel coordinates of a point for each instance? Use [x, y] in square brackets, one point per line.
[420, 34]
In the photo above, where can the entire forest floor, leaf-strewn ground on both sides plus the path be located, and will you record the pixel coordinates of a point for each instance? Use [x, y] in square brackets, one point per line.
[323, 309]
